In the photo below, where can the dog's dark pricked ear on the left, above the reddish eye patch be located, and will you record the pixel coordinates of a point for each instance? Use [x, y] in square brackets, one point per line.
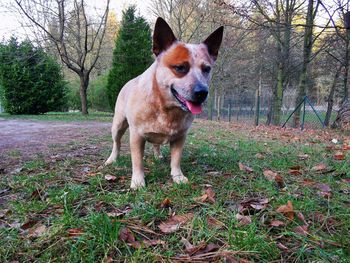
[163, 36]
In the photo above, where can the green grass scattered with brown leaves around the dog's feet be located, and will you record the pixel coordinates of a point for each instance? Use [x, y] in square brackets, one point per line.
[67, 198]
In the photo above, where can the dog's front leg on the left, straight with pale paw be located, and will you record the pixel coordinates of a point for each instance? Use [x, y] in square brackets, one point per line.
[137, 147]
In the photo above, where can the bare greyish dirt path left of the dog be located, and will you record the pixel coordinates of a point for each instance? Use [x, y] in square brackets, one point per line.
[21, 140]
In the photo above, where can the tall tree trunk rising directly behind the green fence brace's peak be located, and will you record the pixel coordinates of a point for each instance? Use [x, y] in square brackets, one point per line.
[306, 60]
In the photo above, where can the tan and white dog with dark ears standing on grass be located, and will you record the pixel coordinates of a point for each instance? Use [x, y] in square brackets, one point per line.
[158, 105]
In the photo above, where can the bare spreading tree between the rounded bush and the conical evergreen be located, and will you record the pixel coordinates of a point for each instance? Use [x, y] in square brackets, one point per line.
[76, 36]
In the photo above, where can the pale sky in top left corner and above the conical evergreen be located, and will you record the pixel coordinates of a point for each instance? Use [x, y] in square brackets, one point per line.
[10, 23]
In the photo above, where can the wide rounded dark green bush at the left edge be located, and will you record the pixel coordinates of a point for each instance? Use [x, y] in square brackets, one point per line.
[31, 80]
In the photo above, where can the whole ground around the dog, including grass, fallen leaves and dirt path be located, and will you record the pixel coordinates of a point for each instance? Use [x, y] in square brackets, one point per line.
[255, 194]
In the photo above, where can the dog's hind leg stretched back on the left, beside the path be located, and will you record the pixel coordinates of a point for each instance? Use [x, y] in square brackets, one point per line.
[119, 127]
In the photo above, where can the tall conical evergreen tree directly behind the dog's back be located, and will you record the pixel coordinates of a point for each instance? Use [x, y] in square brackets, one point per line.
[132, 53]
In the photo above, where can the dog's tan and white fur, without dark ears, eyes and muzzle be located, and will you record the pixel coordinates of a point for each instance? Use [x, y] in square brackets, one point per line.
[147, 106]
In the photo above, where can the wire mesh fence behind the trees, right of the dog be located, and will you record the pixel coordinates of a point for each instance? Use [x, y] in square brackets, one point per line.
[247, 108]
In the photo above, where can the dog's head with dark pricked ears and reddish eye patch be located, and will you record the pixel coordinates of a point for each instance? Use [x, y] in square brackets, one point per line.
[184, 70]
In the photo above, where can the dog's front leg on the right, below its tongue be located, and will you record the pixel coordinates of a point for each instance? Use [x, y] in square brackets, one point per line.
[176, 148]
